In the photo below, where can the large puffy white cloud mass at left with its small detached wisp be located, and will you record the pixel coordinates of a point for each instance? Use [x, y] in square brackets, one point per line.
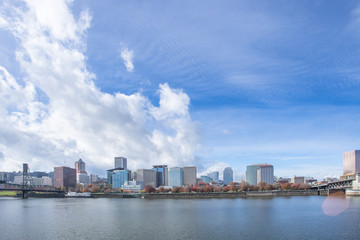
[76, 118]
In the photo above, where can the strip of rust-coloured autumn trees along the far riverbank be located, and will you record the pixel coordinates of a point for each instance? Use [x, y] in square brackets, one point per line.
[200, 190]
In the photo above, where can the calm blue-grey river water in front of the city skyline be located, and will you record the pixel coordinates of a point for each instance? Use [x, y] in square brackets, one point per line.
[272, 218]
